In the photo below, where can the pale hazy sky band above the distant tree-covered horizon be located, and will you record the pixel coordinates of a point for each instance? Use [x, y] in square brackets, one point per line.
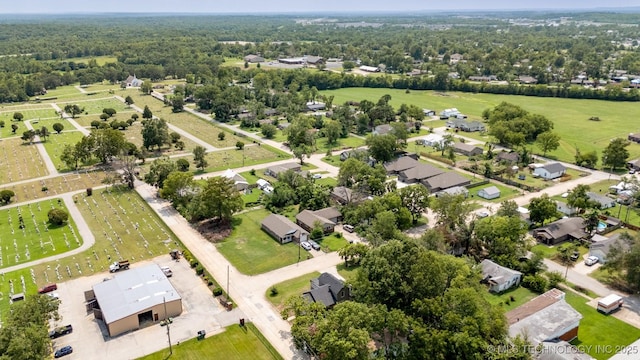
[282, 7]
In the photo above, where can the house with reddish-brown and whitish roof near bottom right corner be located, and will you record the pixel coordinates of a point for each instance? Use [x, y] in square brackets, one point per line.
[547, 317]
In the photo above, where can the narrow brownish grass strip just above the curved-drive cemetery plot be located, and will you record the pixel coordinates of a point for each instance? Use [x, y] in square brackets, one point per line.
[69, 182]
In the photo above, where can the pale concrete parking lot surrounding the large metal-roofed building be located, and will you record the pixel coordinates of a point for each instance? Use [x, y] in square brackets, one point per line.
[90, 340]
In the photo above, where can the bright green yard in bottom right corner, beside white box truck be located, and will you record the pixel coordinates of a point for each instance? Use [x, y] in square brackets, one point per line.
[600, 329]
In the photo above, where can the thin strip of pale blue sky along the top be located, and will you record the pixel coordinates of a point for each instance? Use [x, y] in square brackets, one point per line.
[279, 6]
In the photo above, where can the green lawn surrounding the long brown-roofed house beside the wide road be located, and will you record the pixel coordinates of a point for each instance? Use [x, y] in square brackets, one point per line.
[251, 250]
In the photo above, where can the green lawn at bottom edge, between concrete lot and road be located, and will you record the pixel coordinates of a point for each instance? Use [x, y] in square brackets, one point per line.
[235, 343]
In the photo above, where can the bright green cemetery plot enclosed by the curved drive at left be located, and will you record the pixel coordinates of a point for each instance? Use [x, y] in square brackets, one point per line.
[37, 238]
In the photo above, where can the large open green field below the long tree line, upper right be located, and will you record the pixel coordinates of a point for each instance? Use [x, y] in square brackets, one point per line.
[570, 116]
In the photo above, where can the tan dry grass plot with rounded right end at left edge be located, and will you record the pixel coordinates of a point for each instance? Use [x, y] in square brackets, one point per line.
[19, 161]
